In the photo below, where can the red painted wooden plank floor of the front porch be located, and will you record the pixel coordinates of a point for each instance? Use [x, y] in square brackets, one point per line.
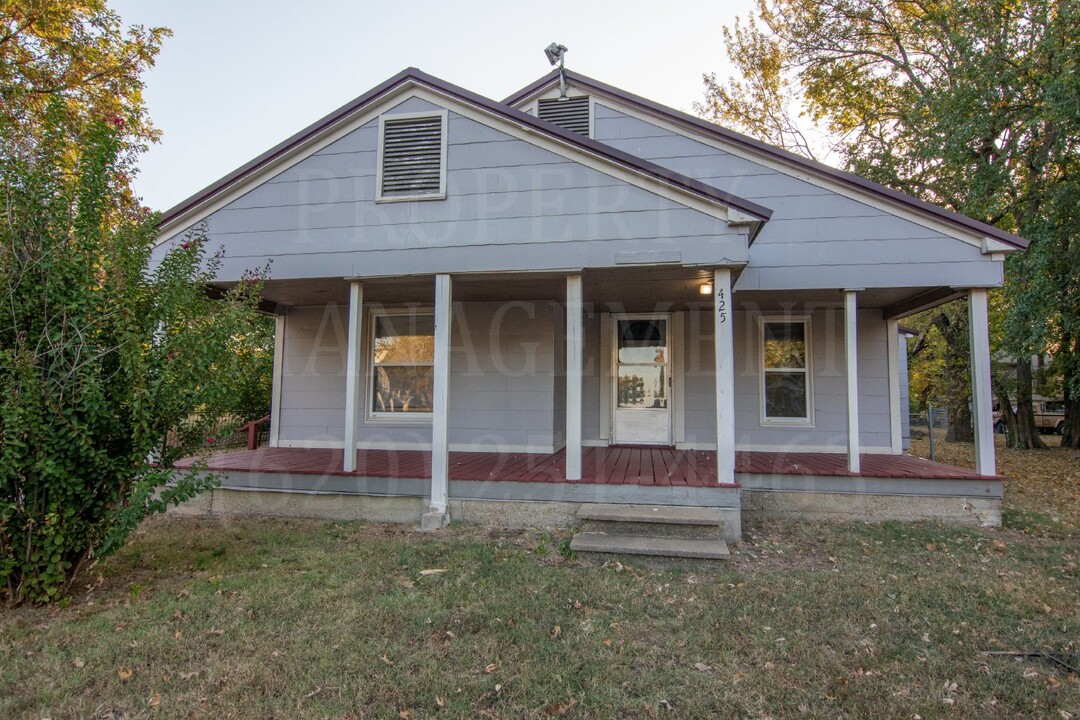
[613, 466]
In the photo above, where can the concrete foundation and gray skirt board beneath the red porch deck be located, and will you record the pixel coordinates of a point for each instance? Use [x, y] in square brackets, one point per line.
[976, 504]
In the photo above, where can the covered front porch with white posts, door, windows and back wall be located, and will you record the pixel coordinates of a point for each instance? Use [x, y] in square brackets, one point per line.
[522, 379]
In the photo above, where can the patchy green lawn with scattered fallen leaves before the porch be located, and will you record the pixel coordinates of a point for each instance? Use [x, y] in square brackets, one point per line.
[275, 619]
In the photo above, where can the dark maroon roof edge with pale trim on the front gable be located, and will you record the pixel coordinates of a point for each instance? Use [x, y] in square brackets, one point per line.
[420, 78]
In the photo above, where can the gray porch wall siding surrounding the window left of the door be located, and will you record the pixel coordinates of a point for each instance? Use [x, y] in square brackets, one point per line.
[503, 381]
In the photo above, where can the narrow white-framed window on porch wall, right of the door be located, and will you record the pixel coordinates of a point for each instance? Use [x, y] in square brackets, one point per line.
[787, 372]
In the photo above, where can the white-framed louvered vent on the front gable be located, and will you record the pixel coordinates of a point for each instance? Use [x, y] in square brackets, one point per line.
[412, 164]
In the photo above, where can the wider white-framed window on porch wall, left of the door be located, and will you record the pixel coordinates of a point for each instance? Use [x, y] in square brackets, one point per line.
[402, 364]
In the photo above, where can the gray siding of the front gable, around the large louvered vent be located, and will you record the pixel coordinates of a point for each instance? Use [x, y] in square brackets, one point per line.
[510, 206]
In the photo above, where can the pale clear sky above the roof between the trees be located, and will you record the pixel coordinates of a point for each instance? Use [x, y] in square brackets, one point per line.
[240, 76]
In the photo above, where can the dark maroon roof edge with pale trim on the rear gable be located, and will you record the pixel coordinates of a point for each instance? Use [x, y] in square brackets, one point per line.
[712, 130]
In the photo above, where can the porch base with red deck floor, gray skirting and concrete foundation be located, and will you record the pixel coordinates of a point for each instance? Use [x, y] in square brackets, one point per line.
[533, 491]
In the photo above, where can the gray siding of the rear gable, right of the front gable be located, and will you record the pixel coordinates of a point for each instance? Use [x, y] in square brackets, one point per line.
[817, 239]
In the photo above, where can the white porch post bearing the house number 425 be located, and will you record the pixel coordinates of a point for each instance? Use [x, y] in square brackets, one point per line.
[724, 323]
